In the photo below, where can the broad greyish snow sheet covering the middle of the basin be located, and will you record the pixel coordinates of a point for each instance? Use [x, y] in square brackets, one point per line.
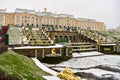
[87, 62]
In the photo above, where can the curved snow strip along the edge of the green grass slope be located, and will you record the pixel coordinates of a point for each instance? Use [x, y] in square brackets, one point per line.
[44, 68]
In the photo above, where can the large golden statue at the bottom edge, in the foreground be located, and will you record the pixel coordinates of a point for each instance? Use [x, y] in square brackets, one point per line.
[67, 74]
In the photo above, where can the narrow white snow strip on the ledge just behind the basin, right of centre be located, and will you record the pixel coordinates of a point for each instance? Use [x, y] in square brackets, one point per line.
[84, 54]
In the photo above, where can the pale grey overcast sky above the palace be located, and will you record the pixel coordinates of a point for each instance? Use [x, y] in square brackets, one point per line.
[107, 11]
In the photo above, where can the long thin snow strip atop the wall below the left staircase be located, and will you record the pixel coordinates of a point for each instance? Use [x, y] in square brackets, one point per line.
[38, 47]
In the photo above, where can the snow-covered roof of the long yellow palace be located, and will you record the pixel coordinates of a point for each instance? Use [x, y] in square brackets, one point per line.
[19, 10]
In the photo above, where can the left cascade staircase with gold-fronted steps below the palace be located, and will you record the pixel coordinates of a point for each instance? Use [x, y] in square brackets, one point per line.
[37, 37]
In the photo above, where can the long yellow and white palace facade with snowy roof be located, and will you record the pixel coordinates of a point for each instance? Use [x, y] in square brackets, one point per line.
[37, 19]
